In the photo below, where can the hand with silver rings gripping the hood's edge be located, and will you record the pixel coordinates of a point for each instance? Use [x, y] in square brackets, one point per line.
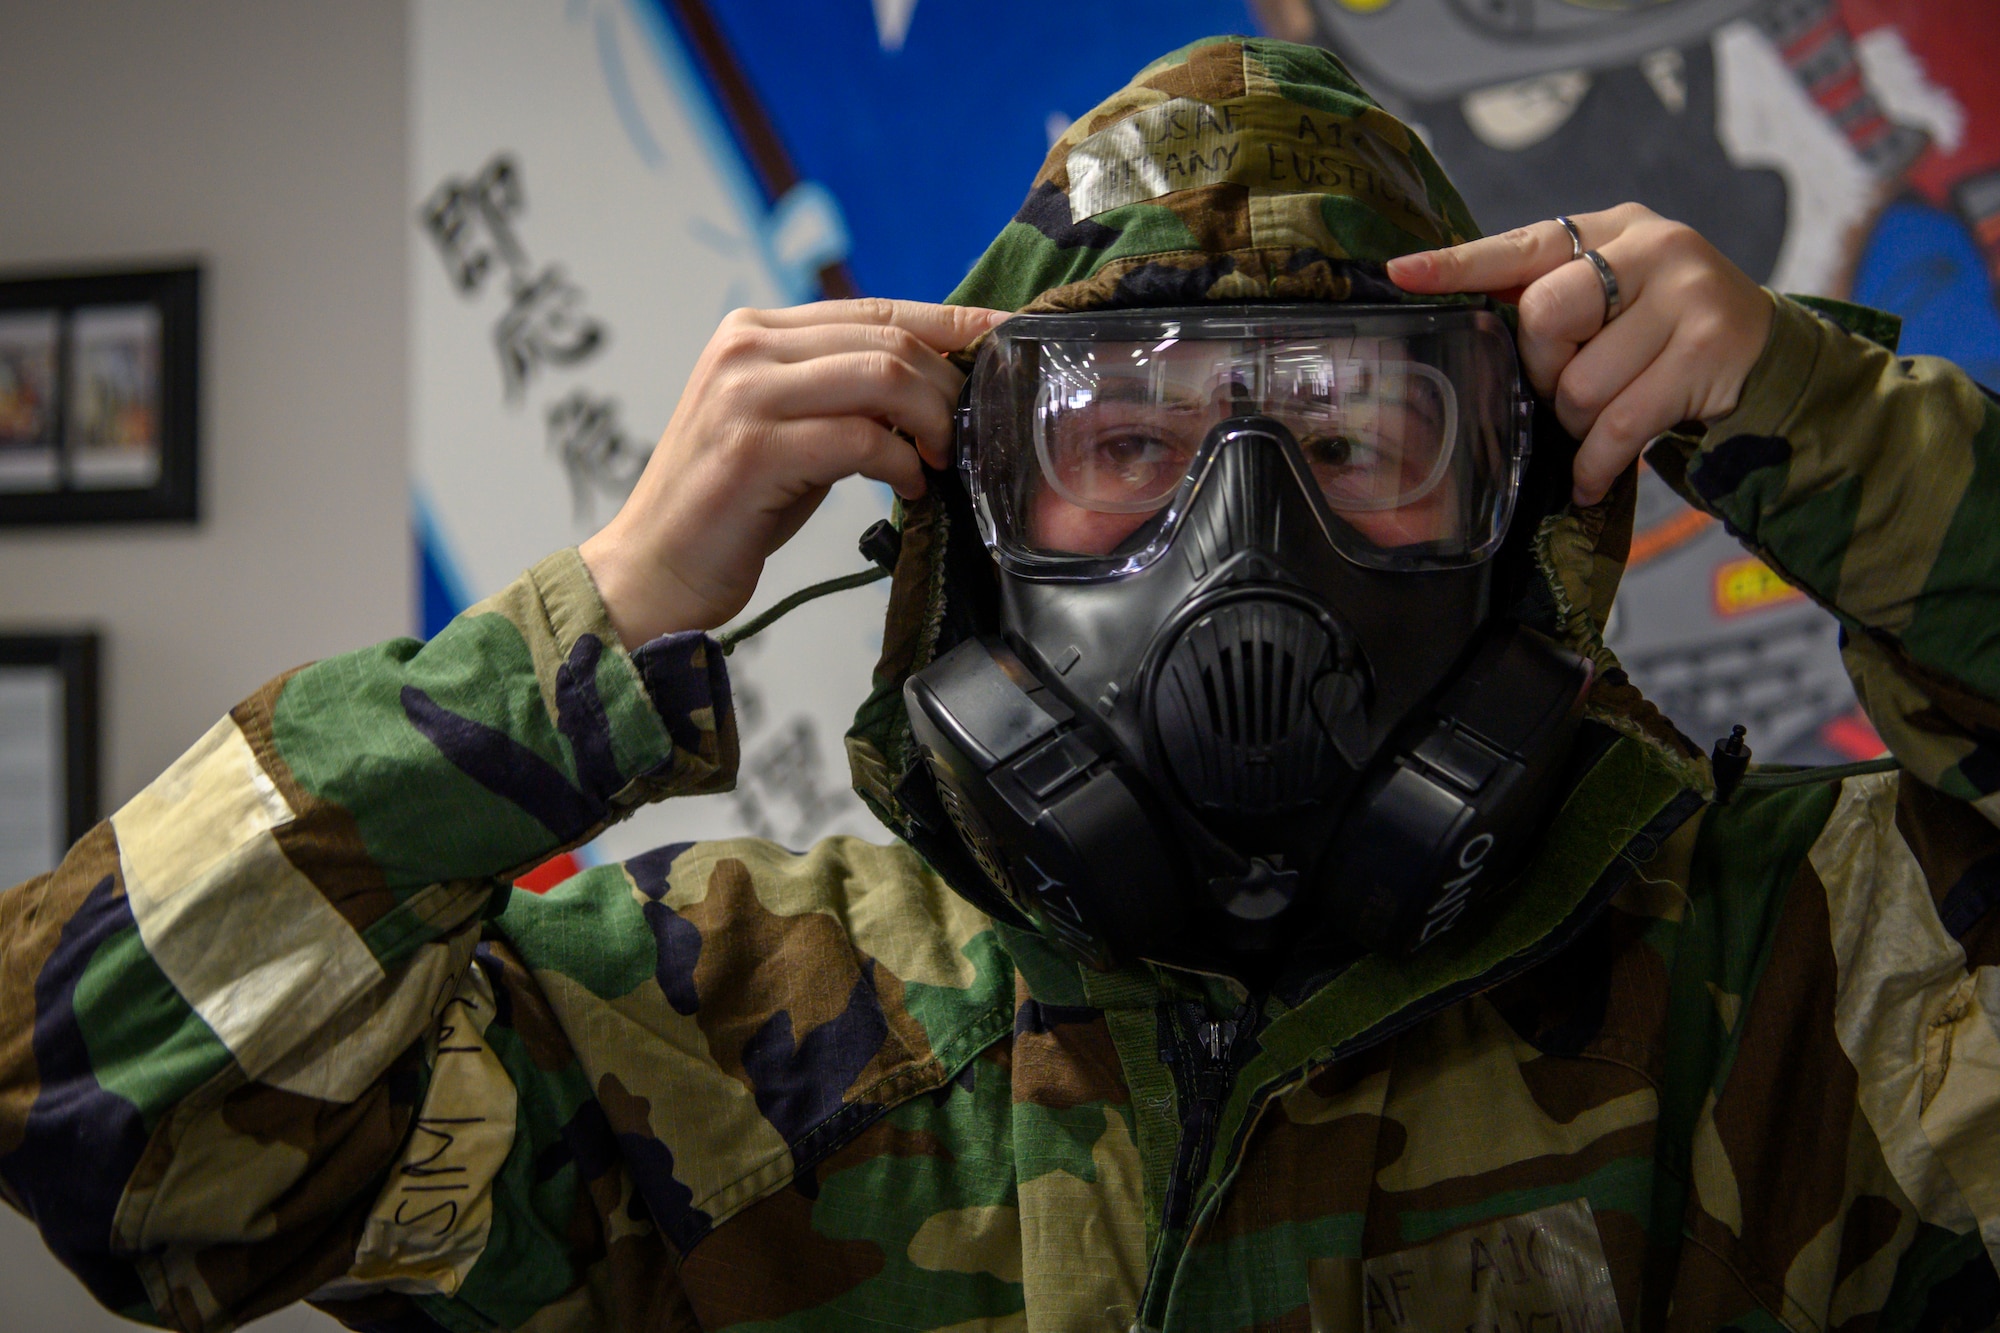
[1685, 335]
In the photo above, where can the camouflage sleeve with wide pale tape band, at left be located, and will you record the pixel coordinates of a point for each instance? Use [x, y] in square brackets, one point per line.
[223, 1010]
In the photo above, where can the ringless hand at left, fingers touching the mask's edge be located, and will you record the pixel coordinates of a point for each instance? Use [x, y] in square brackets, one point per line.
[781, 405]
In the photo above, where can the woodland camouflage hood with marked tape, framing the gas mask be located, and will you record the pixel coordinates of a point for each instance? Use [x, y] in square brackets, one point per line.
[1231, 171]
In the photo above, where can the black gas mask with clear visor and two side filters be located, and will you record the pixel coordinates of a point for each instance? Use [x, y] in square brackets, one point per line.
[1249, 696]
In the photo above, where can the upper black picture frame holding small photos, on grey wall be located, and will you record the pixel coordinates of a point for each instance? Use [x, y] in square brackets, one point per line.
[99, 397]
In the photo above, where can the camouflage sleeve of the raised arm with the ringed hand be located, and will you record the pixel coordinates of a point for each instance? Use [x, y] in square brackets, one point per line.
[1873, 483]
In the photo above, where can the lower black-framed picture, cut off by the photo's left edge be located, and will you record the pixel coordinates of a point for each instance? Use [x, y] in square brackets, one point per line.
[49, 750]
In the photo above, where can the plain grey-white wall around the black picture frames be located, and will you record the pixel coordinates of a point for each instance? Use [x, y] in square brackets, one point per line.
[267, 139]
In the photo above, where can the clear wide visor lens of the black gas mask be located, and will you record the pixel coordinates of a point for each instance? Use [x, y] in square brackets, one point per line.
[1087, 435]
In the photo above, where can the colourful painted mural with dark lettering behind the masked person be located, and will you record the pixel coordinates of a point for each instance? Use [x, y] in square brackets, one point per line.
[595, 183]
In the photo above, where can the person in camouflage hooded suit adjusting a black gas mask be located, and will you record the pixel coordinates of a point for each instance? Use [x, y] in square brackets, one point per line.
[1299, 920]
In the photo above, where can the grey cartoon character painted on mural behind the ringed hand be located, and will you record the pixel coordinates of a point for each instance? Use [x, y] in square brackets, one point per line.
[1829, 147]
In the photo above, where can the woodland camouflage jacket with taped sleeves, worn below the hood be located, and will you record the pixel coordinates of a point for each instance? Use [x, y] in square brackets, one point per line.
[279, 1030]
